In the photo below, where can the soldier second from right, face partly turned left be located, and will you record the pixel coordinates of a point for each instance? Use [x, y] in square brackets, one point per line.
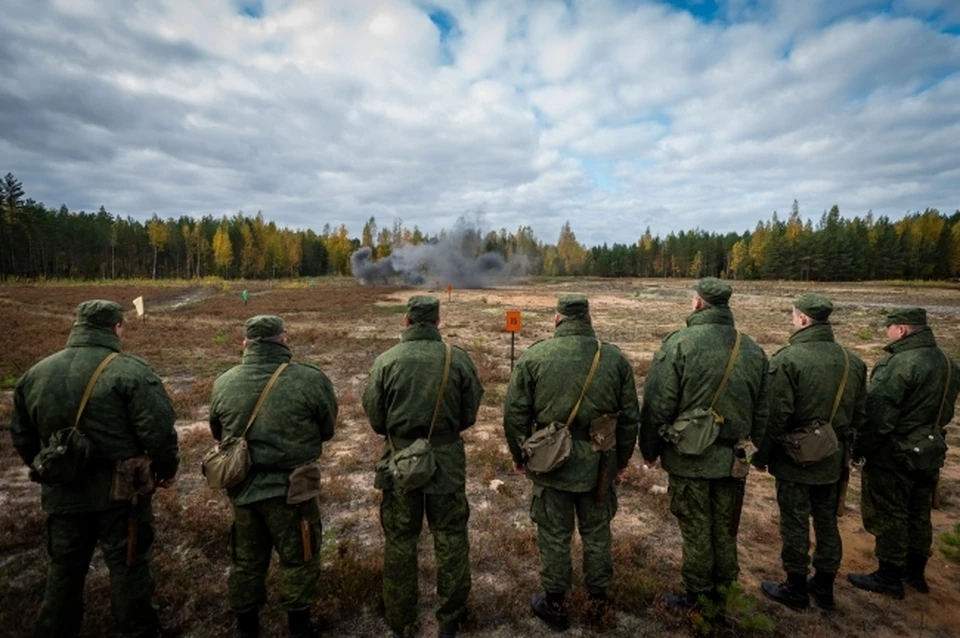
[815, 385]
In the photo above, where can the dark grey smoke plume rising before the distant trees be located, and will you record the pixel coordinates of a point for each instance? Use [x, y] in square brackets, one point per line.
[451, 260]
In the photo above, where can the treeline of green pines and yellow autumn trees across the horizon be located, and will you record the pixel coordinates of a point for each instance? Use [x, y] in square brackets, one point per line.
[37, 242]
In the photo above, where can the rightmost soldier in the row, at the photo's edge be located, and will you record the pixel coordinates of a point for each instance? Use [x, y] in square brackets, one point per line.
[910, 400]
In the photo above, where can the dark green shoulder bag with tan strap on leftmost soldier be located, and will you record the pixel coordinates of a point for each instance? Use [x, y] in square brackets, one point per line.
[64, 457]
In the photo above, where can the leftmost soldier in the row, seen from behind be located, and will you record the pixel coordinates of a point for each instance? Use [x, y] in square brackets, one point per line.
[128, 414]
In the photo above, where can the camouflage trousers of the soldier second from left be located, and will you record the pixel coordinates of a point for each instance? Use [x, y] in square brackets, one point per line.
[259, 528]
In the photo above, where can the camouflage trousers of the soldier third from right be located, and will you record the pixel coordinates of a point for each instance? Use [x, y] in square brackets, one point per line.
[704, 509]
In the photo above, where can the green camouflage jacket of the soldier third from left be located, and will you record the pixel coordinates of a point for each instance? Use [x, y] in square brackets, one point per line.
[401, 394]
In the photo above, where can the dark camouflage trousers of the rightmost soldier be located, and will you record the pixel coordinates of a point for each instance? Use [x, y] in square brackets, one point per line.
[896, 509]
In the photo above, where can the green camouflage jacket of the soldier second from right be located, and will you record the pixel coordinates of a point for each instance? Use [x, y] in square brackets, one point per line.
[804, 379]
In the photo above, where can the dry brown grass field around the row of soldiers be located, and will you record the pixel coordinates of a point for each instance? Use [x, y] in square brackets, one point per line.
[192, 333]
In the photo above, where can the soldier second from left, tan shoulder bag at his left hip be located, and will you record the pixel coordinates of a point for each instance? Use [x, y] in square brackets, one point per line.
[295, 419]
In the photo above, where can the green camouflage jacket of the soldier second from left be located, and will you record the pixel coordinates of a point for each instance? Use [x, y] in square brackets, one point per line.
[297, 417]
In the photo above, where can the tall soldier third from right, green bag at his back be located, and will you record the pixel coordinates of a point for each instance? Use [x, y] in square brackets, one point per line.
[685, 374]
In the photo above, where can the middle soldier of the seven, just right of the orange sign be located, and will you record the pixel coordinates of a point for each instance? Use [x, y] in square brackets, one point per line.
[544, 388]
